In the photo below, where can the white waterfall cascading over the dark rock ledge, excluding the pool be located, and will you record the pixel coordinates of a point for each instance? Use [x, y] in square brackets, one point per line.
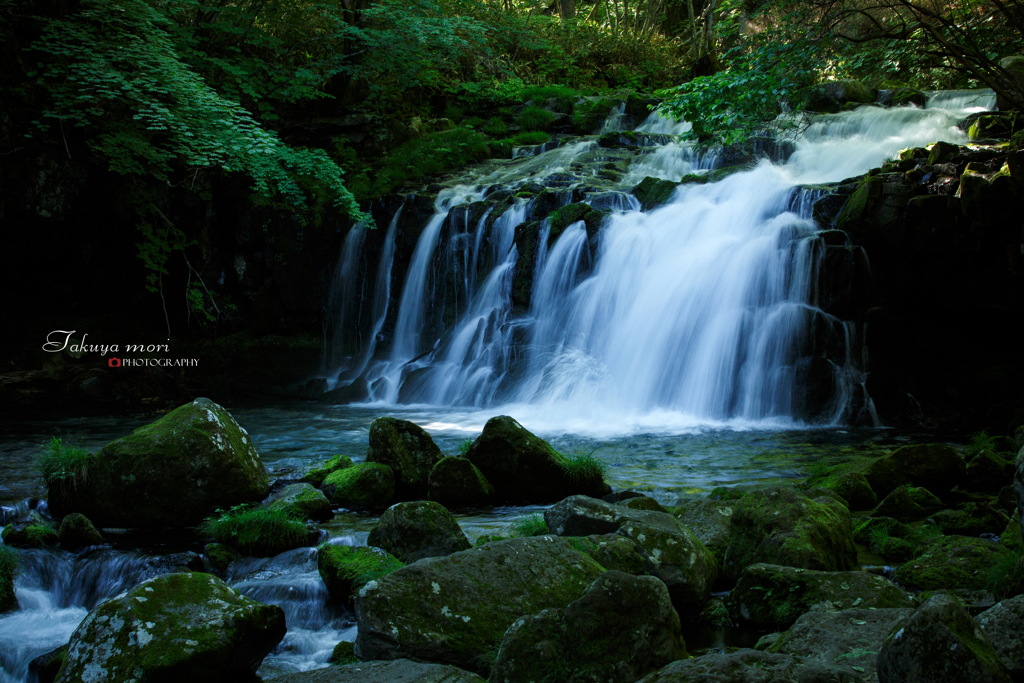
[692, 315]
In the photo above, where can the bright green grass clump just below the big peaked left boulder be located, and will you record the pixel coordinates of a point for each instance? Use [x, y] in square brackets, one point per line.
[255, 531]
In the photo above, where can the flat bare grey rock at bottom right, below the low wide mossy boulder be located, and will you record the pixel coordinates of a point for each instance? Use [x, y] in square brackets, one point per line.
[846, 642]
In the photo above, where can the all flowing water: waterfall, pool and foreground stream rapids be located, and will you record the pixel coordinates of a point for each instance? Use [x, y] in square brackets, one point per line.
[666, 350]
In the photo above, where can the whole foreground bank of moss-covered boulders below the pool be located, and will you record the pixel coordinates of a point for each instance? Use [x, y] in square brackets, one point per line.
[605, 586]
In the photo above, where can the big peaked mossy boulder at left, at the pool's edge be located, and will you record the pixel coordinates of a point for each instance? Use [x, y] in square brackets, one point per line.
[173, 473]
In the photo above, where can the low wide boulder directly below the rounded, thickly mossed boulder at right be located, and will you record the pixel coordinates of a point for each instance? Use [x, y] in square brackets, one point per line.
[774, 596]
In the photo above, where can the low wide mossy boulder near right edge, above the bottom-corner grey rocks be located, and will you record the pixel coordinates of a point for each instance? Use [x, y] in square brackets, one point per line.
[954, 563]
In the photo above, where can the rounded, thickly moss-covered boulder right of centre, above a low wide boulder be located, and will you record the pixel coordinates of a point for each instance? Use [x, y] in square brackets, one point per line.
[780, 526]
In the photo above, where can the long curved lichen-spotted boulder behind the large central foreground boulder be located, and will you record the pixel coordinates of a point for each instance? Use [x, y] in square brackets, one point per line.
[675, 556]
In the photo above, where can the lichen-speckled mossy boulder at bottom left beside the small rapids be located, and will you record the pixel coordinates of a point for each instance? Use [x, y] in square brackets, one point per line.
[185, 627]
